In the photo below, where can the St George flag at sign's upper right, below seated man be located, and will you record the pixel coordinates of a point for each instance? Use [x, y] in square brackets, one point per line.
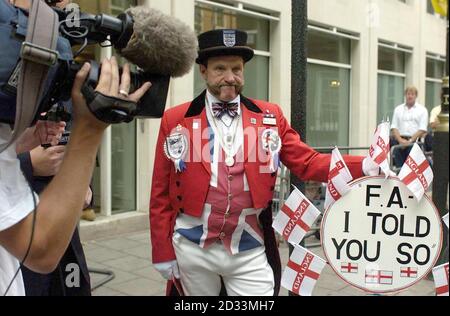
[416, 172]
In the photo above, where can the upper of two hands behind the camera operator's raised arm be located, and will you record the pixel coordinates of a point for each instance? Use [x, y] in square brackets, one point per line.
[44, 132]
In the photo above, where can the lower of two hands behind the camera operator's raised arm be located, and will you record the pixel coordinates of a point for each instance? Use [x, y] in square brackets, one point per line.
[46, 162]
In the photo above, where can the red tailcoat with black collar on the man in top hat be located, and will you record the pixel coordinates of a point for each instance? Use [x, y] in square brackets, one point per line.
[186, 191]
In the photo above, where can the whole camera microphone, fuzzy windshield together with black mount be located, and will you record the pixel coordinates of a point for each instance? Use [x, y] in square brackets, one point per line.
[156, 42]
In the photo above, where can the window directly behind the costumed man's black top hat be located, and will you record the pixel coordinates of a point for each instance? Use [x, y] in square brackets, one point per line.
[209, 17]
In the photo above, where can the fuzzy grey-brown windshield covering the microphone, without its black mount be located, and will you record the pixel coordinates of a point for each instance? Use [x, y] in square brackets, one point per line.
[160, 44]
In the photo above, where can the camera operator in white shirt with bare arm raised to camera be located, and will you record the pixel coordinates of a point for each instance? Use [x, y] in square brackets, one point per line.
[39, 239]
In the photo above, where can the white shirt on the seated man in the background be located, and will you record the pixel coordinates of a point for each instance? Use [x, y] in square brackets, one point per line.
[409, 121]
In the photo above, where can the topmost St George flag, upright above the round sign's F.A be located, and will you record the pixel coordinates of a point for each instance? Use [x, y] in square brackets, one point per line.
[379, 150]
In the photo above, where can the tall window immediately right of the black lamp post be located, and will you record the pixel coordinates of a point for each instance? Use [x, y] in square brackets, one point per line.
[328, 89]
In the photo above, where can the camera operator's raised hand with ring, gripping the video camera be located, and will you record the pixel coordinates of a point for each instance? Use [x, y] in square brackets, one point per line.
[110, 84]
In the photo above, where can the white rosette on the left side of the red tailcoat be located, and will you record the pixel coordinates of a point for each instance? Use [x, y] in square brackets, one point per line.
[176, 148]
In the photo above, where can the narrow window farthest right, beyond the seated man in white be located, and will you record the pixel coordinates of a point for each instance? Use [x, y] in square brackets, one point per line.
[435, 72]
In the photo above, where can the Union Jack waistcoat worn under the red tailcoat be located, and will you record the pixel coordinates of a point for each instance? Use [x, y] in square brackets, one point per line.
[228, 214]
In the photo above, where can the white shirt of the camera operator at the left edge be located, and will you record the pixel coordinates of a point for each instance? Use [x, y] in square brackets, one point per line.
[16, 202]
